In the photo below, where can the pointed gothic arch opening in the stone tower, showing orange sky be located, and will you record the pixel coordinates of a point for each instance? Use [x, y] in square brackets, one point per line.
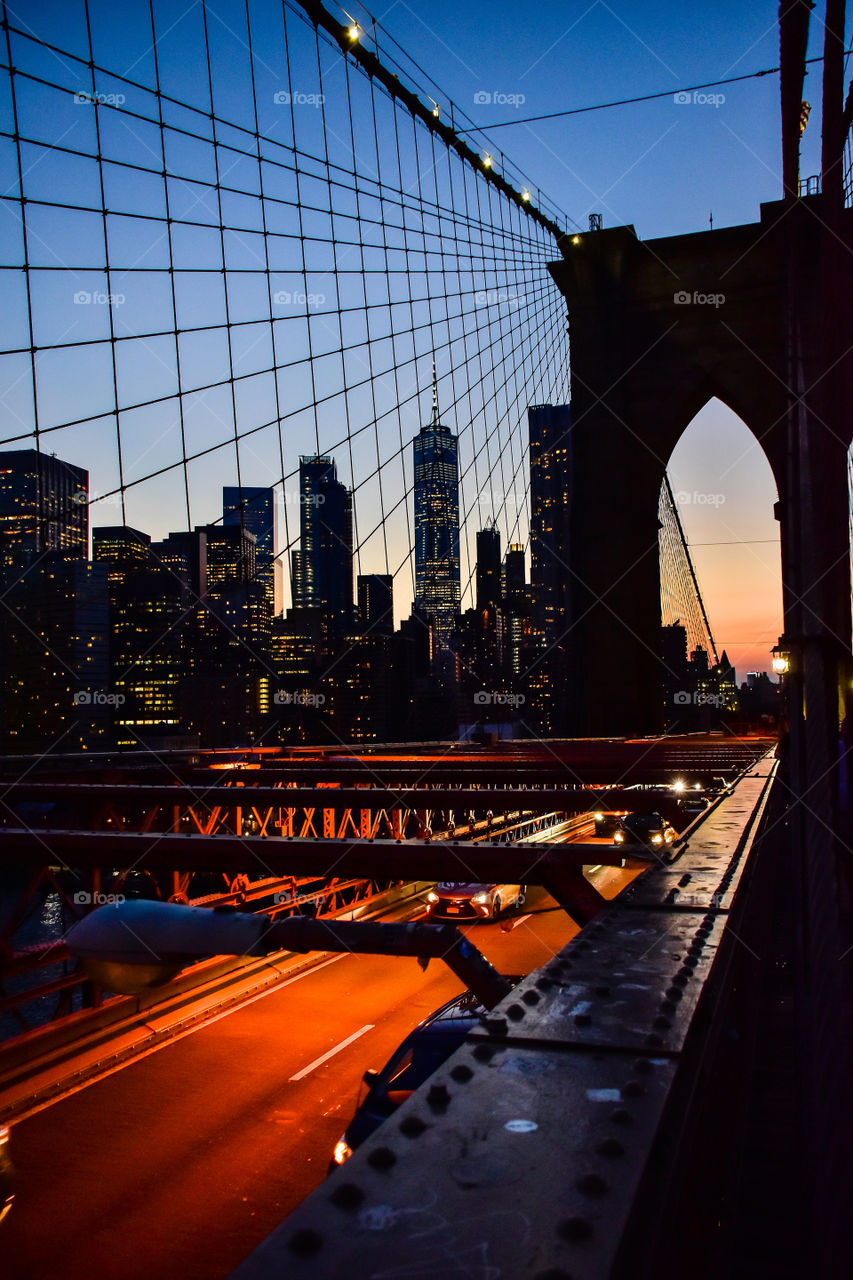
[720, 500]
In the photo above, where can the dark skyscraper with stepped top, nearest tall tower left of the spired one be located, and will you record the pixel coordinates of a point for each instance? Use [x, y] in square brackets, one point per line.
[322, 569]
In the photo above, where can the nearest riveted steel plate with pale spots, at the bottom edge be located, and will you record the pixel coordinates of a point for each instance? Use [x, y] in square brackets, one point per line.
[531, 1169]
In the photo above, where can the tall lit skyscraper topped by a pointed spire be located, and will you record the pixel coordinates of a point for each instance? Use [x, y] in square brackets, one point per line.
[437, 586]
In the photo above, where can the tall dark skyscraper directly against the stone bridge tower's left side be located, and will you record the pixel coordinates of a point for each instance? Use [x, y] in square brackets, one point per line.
[550, 432]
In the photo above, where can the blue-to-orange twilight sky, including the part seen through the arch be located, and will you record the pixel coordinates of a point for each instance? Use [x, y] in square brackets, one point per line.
[133, 409]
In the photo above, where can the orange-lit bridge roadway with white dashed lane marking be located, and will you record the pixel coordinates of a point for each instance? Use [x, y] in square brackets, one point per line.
[180, 1164]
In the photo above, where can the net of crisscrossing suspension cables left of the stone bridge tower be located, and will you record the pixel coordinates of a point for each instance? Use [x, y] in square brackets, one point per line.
[227, 246]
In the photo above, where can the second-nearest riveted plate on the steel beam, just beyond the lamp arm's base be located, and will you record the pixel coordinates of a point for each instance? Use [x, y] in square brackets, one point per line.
[631, 981]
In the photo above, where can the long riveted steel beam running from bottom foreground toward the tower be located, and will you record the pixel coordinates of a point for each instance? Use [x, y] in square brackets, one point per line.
[526, 1153]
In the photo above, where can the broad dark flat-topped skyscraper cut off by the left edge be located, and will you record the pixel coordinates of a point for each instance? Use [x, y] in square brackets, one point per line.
[44, 508]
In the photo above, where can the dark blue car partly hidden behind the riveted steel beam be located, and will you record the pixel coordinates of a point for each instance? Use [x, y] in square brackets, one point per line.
[412, 1064]
